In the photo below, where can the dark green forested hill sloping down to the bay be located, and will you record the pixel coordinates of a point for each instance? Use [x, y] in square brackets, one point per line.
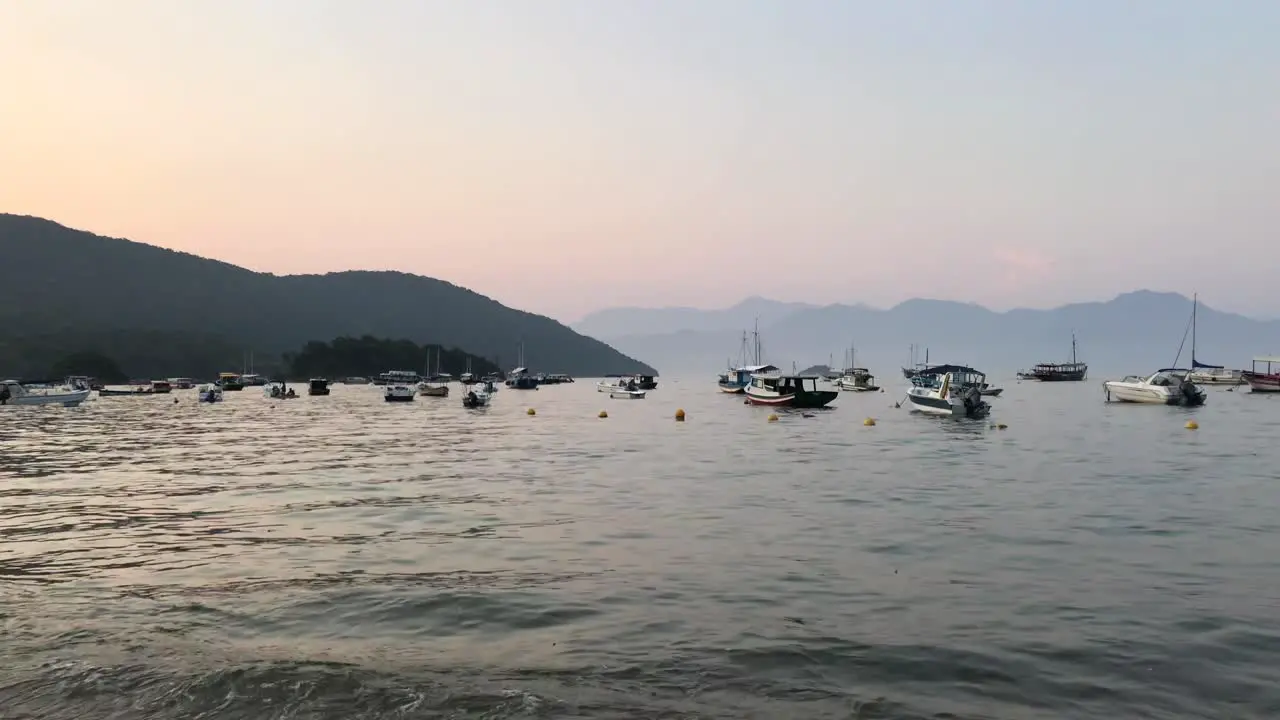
[66, 284]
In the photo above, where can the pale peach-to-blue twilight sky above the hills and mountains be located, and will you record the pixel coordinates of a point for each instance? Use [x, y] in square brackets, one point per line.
[569, 156]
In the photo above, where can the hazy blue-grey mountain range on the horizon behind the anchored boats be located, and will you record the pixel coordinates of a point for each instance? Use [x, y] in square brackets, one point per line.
[1133, 332]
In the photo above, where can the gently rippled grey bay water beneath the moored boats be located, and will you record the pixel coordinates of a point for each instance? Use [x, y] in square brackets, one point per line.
[346, 558]
